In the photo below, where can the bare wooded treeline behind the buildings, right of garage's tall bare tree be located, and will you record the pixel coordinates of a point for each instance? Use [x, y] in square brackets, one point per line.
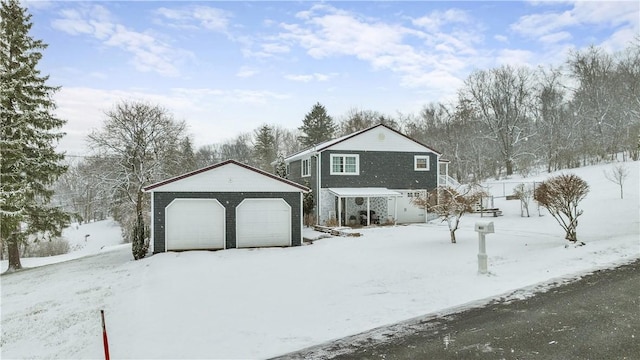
[505, 120]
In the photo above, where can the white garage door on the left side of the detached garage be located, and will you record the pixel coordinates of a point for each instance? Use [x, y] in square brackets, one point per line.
[195, 224]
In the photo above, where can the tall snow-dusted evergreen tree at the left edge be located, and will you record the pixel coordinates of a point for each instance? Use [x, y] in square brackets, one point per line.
[28, 135]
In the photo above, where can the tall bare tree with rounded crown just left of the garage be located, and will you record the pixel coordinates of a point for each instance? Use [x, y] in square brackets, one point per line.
[139, 143]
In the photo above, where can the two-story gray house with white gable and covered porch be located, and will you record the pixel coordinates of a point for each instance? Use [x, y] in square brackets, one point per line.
[374, 172]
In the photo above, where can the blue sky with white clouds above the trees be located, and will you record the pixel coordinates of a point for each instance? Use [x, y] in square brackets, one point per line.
[228, 67]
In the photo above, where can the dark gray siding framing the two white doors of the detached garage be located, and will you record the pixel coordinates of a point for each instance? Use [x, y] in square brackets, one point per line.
[230, 200]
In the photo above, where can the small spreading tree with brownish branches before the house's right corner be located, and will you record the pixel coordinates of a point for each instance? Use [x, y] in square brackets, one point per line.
[451, 205]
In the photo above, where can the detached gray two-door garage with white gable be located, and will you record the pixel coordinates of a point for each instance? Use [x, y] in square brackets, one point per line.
[223, 206]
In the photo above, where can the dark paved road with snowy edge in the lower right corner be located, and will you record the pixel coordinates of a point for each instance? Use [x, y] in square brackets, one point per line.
[596, 317]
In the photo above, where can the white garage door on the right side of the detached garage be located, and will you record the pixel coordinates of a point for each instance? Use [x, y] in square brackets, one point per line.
[263, 222]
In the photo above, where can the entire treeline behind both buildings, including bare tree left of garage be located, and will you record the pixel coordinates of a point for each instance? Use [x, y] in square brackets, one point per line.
[504, 120]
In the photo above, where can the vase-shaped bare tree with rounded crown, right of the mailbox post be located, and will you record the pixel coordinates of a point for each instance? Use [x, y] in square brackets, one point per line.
[560, 195]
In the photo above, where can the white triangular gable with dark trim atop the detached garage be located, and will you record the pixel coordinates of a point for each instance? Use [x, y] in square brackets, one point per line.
[227, 176]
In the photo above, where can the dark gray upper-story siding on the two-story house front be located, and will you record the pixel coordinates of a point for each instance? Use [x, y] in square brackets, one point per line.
[392, 170]
